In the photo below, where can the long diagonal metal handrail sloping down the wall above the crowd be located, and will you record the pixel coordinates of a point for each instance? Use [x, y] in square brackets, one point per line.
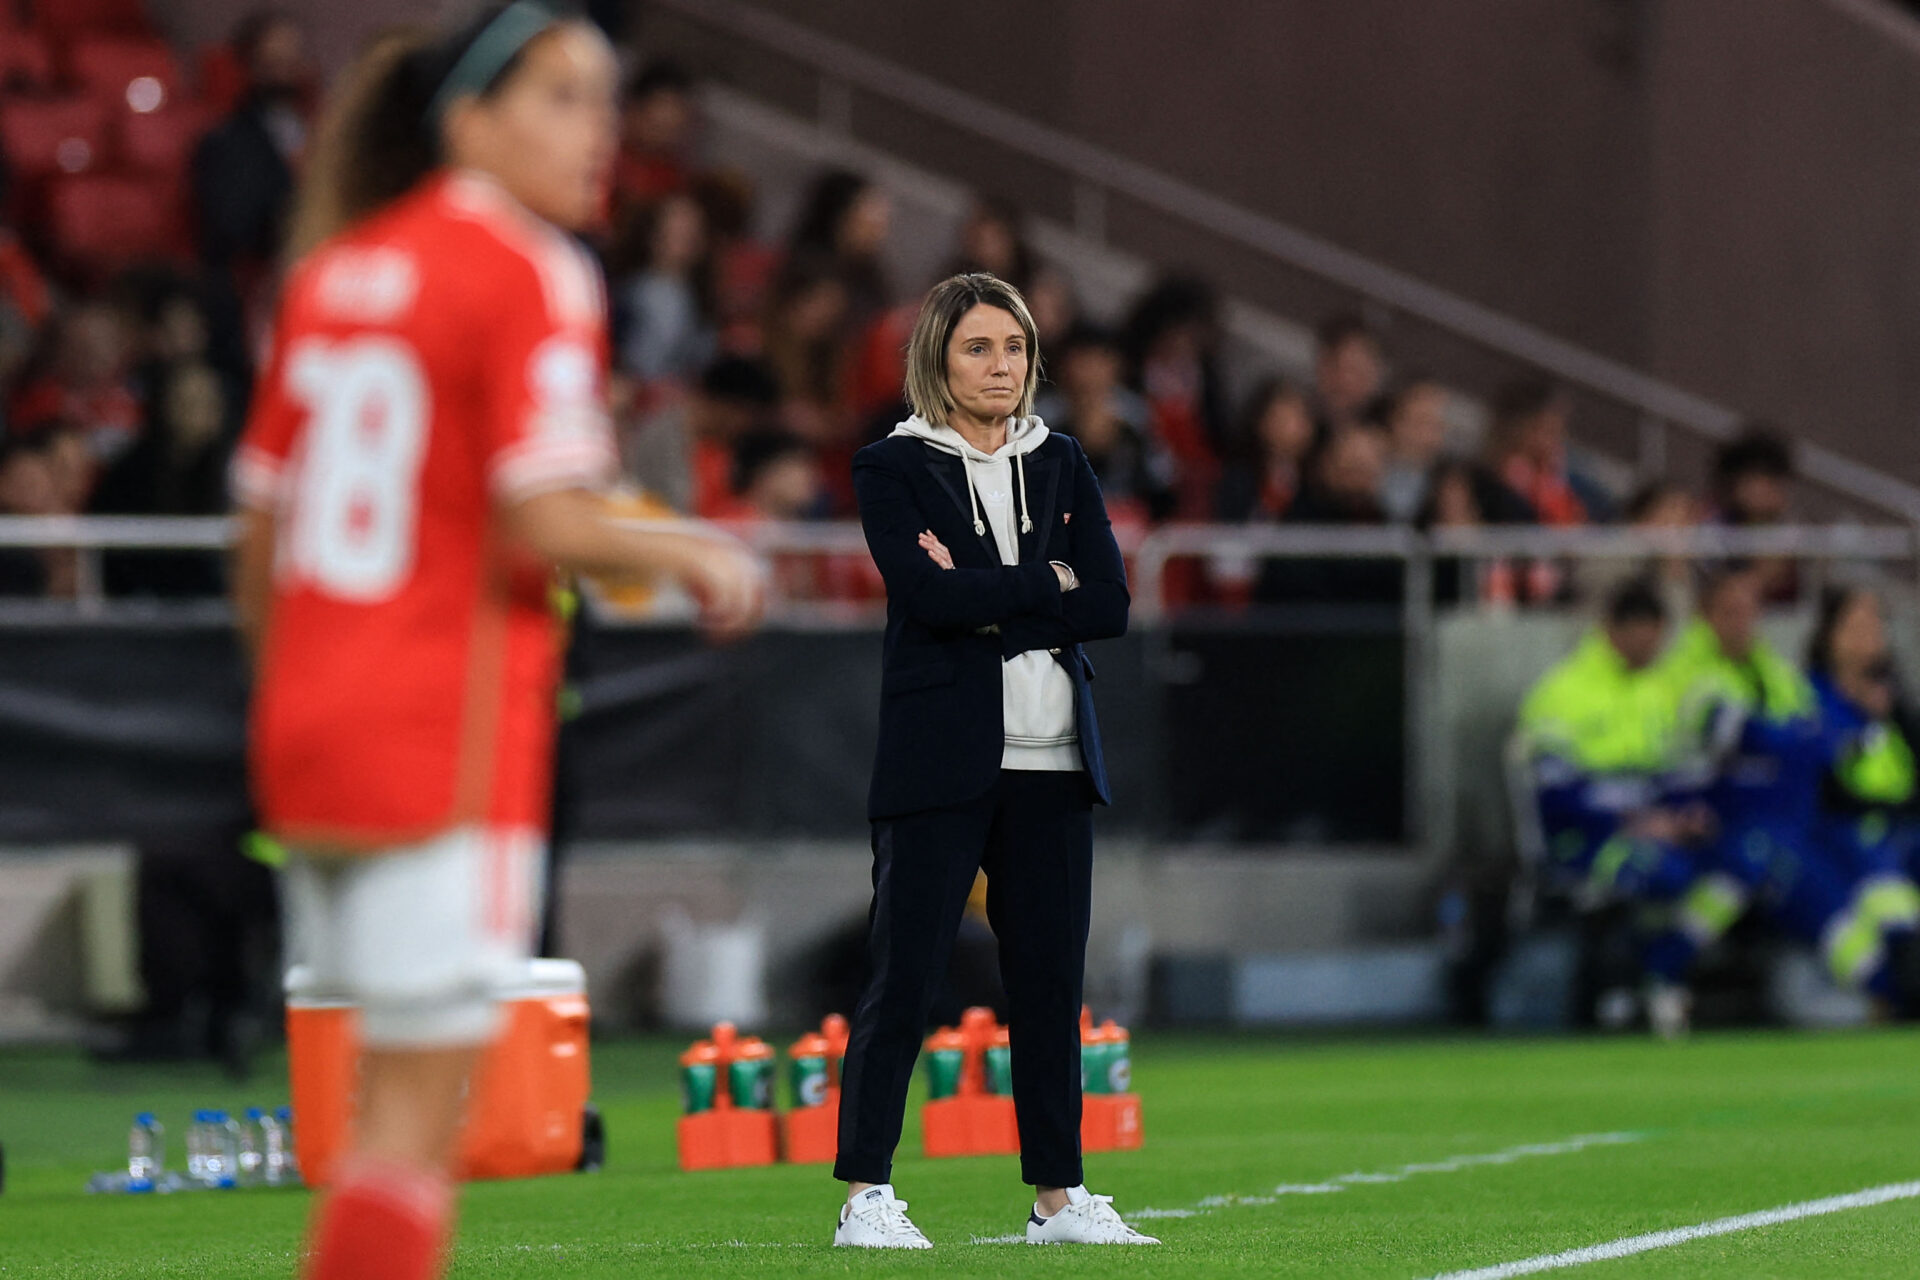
[1097, 174]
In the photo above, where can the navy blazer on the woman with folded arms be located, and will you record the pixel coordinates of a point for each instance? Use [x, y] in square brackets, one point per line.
[942, 734]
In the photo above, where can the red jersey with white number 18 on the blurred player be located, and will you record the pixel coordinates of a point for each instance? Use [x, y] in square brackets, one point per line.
[429, 367]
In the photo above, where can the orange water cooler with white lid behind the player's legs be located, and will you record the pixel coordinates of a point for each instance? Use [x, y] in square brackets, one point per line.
[527, 1112]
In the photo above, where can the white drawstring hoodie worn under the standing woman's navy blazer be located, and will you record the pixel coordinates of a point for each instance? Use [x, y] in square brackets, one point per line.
[1036, 692]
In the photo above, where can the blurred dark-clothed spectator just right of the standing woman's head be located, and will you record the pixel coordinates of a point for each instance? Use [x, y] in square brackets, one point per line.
[1093, 406]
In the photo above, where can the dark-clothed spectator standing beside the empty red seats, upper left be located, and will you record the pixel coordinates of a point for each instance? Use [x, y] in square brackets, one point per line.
[243, 172]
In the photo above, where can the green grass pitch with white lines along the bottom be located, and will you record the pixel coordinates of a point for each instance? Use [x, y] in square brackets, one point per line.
[1729, 1124]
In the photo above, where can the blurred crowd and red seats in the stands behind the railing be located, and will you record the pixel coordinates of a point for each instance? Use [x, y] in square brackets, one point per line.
[141, 208]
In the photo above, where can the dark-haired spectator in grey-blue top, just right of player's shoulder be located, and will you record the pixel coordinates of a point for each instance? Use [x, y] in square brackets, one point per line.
[665, 293]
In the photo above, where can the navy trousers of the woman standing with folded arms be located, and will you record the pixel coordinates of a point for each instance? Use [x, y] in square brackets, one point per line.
[1034, 838]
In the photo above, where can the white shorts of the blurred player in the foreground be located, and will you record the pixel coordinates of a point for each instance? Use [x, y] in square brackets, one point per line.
[421, 937]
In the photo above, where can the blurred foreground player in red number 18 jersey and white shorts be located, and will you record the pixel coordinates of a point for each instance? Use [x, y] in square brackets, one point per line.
[425, 448]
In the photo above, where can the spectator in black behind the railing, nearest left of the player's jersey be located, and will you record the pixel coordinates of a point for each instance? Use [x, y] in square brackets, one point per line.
[178, 469]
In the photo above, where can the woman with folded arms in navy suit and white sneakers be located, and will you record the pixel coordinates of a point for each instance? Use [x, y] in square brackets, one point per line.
[999, 563]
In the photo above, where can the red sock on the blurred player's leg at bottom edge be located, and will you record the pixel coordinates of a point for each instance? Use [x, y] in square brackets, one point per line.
[381, 1221]
